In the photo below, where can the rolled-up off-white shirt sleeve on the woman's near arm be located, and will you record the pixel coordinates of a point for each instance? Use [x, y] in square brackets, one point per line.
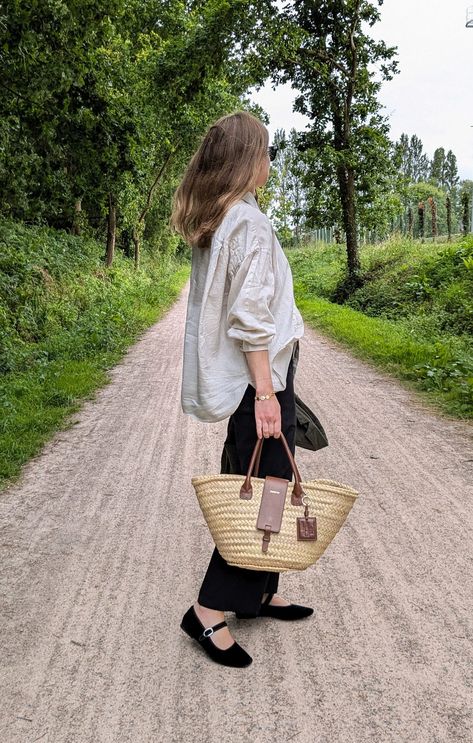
[249, 317]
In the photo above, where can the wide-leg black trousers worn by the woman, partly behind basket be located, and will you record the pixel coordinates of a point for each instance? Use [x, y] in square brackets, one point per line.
[227, 587]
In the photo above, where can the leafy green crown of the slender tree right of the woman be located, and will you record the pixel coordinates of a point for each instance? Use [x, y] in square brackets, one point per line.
[347, 140]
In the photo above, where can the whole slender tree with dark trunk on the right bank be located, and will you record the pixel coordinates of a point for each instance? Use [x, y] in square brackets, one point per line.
[325, 51]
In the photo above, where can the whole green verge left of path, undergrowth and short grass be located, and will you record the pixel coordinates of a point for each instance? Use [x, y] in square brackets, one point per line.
[65, 319]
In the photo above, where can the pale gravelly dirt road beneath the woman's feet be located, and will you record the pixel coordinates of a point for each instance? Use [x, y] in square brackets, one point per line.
[103, 548]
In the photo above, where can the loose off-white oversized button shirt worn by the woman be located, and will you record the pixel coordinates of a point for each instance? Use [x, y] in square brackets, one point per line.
[241, 299]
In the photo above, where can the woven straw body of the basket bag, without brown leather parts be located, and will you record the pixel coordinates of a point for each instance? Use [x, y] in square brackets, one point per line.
[232, 521]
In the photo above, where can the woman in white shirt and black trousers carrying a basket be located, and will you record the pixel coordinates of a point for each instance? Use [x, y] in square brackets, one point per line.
[241, 339]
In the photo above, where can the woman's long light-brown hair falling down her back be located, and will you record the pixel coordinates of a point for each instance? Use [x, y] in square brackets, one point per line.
[222, 170]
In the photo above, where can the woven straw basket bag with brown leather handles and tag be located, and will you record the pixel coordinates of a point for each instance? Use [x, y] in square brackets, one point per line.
[255, 526]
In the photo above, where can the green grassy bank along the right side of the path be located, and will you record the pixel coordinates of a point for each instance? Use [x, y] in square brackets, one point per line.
[412, 317]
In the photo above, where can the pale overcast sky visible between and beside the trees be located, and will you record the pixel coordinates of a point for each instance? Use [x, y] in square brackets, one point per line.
[432, 96]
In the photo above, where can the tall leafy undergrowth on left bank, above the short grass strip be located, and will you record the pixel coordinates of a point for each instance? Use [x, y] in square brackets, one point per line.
[58, 300]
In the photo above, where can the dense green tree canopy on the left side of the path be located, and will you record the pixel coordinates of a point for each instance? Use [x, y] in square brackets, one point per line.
[108, 102]
